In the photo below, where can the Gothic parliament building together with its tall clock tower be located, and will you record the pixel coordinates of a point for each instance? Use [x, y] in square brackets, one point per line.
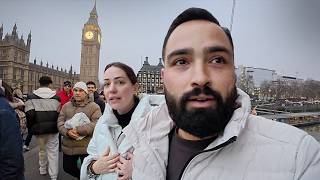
[17, 71]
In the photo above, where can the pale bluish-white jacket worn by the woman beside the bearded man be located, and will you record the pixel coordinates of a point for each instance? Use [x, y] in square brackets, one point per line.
[108, 132]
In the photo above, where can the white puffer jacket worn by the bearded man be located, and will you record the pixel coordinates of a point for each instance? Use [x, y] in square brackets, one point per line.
[251, 148]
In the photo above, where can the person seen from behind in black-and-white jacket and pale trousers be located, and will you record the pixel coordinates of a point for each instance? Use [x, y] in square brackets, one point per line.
[42, 113]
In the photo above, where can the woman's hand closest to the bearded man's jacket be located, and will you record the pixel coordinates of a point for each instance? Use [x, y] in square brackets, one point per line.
[124, 167]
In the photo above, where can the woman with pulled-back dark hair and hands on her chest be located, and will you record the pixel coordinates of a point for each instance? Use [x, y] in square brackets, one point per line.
[110, 154]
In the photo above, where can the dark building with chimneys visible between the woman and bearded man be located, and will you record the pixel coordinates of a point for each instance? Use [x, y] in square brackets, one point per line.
[150, 79]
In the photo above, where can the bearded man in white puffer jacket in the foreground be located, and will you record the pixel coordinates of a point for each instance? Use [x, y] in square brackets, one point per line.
[205, 129]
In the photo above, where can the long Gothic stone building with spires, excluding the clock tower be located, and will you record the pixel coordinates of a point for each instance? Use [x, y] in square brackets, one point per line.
[16, 69]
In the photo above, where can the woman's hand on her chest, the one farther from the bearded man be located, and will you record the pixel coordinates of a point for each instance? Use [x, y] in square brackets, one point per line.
[106, 163]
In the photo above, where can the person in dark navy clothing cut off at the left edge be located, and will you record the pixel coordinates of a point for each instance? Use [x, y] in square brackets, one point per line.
[11, 158]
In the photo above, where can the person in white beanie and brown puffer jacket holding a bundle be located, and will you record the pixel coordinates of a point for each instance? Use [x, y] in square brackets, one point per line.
[73, 147]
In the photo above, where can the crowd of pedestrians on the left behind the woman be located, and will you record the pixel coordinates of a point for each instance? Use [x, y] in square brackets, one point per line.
[44, 115]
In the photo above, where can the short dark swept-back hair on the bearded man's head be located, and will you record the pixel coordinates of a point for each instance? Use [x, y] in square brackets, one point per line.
[189, 15]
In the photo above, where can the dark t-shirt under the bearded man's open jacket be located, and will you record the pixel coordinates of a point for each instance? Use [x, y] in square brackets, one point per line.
[180, 152]
